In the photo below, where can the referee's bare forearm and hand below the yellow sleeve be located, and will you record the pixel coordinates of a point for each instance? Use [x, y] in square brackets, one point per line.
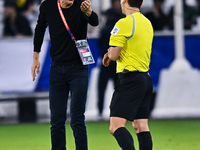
[112, 55]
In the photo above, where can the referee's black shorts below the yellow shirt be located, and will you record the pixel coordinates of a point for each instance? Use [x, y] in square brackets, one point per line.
[132, 96]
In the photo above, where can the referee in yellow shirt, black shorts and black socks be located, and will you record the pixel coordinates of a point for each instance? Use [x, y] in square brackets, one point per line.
[130, 46]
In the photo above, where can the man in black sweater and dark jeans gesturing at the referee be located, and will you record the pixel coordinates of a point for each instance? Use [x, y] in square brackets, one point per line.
[67, 71]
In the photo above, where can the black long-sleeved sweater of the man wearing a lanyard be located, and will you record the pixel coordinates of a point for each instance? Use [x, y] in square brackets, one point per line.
[63, 50]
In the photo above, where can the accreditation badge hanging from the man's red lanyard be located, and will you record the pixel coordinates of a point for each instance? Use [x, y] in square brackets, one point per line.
[84, 52]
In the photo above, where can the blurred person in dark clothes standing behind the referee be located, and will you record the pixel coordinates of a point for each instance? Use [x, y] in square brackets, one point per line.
[112, 16]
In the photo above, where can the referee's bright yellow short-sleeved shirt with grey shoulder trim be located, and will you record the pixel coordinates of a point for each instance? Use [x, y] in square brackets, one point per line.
[134, 34]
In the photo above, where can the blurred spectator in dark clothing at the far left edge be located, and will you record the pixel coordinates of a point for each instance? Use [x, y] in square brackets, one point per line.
[14, 24]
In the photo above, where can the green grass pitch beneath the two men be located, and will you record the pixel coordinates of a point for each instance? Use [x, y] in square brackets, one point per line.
[181, 134]
